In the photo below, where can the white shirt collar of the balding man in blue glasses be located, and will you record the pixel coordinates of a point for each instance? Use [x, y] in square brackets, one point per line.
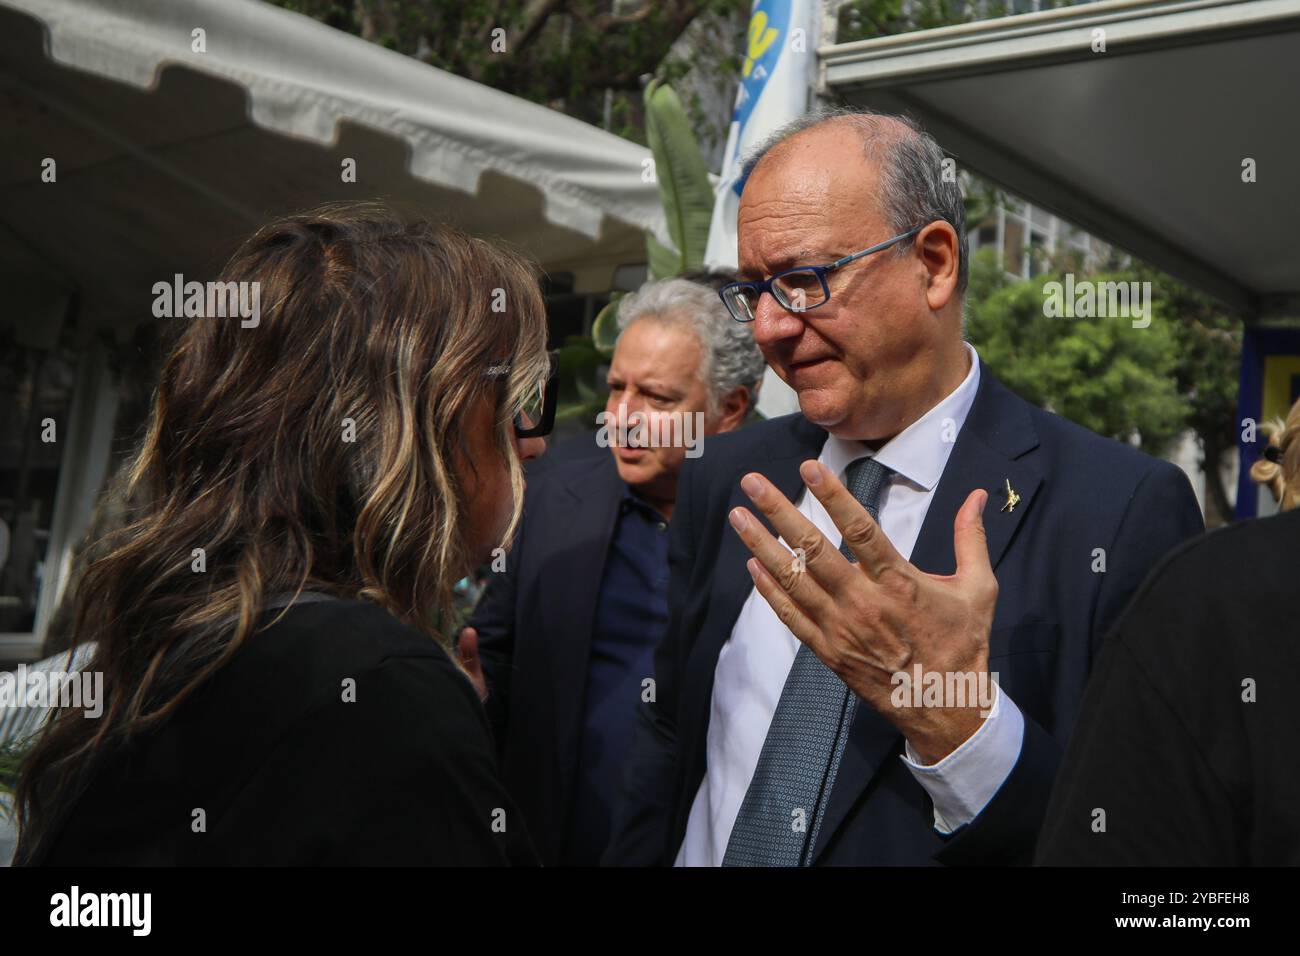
[920, 452]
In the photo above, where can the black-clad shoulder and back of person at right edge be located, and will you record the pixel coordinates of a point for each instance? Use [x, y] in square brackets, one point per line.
[1186, 751]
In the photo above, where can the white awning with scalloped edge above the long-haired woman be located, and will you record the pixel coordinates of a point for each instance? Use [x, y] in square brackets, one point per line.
[166, 157]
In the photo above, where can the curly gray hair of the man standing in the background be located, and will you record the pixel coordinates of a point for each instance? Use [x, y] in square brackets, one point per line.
[730, 357]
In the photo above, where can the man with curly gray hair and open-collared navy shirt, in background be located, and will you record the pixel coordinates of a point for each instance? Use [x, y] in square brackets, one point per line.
[566, 631]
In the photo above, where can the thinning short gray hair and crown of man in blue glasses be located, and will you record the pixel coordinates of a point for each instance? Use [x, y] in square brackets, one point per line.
[913, 189]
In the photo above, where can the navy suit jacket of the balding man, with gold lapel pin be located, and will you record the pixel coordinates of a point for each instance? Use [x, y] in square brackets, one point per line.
[1078, 494]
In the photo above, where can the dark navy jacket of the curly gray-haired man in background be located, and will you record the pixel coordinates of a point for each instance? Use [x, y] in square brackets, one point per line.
[535, 631]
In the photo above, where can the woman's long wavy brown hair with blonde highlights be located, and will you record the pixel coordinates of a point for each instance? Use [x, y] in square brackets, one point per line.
[323, 449]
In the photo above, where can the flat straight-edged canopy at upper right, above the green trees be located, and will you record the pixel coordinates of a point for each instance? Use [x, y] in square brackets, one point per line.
[1142, 145]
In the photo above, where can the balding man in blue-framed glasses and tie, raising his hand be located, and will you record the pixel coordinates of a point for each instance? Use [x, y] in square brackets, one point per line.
[790, 725]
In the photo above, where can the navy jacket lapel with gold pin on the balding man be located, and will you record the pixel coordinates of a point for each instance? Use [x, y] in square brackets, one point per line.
[987, 455]
